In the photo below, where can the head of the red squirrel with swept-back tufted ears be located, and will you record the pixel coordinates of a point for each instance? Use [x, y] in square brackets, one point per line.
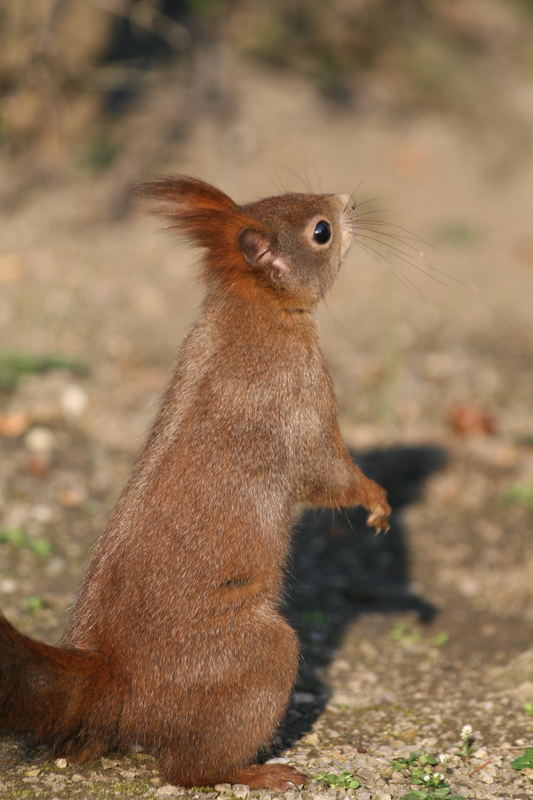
[288, 248]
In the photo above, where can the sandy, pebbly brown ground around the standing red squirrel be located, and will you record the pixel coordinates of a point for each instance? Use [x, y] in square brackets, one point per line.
[406, 638]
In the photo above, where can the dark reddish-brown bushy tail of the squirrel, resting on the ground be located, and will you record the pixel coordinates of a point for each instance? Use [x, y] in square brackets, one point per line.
[50, 695]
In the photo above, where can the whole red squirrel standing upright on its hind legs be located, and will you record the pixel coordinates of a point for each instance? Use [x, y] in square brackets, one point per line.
[176, 642]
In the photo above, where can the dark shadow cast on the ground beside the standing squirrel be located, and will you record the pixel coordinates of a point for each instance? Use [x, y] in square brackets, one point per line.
[340, 569]
